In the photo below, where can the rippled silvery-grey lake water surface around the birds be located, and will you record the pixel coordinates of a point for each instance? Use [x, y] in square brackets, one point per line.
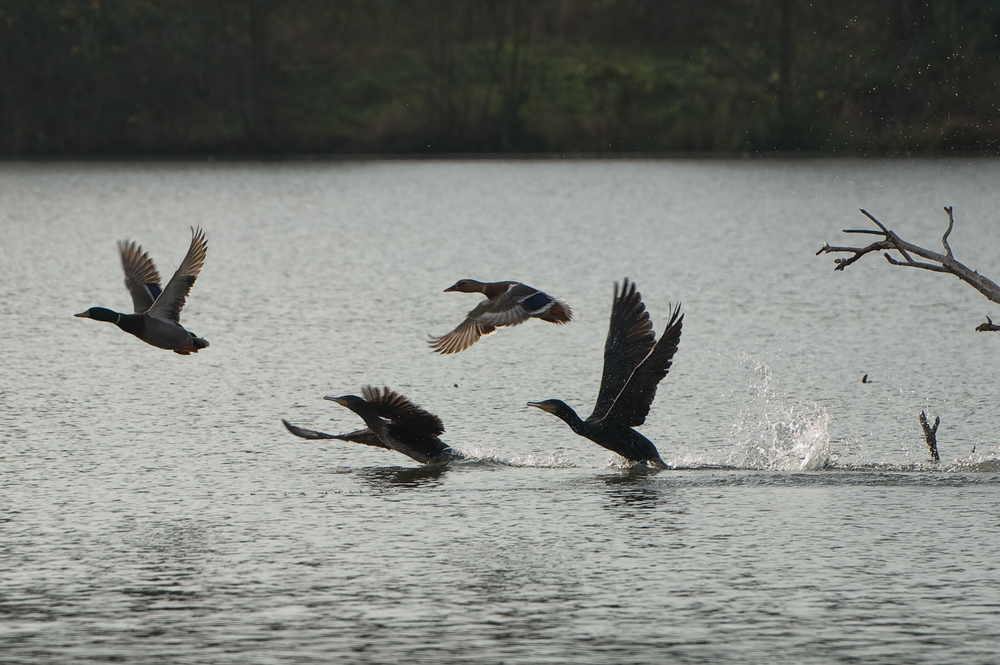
[154, 509]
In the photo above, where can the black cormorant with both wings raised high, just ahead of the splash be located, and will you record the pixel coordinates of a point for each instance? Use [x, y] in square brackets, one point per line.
[634, 363]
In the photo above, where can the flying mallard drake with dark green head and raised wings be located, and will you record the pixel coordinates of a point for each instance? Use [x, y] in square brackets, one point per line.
[157, 311]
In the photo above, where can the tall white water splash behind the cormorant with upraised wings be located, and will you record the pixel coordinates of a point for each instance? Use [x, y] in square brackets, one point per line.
[775, 433]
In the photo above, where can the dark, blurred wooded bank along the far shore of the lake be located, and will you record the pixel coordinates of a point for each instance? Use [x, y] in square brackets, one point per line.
[153, 77]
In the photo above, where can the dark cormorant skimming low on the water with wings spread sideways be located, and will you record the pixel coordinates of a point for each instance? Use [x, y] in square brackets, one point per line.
[394, 423]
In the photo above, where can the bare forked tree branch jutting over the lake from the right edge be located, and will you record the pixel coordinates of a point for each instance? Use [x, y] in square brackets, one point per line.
[939, 262]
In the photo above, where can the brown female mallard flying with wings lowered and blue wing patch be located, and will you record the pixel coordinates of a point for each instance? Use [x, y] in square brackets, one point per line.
[506, 304]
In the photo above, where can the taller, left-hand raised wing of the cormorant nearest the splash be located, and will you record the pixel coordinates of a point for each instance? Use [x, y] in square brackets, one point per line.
[630, 339]
